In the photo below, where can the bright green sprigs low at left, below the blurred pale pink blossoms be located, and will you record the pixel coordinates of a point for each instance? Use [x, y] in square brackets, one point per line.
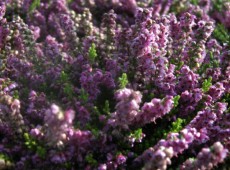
[34, 146]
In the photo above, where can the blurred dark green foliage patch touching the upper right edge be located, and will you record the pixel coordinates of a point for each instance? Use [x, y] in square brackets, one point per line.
[221, 34]
